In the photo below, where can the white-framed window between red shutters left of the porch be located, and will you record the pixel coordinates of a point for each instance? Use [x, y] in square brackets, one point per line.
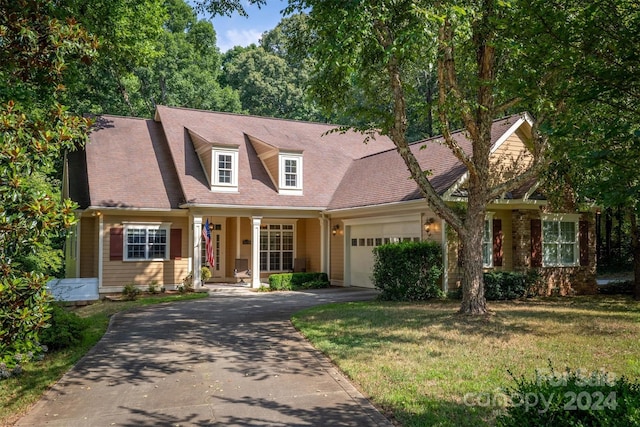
[146, 242]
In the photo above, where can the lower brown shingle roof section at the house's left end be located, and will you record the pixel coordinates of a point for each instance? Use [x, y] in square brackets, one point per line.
[128, 165]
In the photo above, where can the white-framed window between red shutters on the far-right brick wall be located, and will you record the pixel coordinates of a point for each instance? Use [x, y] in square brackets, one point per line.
[560, 240]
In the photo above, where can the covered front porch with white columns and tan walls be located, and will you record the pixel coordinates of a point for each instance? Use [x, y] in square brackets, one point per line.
[268, 243]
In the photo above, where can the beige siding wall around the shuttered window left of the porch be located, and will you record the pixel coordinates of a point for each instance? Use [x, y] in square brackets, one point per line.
[168, 273]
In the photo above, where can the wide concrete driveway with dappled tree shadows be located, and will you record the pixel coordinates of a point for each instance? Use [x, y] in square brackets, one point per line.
[232, 359]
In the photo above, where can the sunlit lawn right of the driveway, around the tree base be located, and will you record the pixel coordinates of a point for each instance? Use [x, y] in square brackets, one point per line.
[421, 363]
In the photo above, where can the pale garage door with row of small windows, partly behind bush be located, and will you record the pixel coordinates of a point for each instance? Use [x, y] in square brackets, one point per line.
[363, 238]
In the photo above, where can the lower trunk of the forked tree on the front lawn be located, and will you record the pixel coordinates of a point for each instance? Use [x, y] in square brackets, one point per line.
[473, 300]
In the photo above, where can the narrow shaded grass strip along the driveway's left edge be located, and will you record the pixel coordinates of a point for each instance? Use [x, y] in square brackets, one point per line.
[17, 394]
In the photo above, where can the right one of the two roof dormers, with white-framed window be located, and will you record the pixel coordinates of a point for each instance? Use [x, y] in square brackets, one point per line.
[283, 165]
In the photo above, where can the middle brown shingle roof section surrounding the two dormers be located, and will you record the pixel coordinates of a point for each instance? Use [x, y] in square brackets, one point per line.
[326, 156]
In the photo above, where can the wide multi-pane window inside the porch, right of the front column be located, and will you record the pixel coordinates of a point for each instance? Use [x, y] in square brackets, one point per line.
[276, 247]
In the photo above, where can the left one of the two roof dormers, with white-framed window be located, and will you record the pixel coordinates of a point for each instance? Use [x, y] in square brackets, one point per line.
[219, 161]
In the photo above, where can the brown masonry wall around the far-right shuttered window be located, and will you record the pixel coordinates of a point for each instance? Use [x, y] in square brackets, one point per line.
[578, 280]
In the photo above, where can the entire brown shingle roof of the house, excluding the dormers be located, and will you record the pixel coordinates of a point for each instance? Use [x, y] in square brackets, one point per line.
[139, 163]
